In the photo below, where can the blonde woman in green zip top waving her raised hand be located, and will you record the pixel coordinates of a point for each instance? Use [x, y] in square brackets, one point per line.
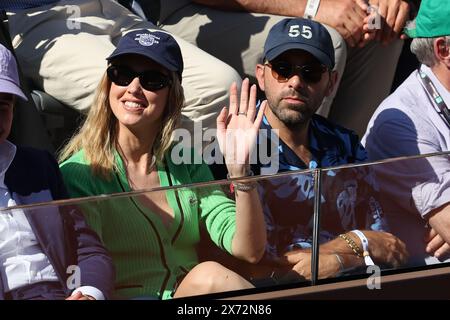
[125, 145]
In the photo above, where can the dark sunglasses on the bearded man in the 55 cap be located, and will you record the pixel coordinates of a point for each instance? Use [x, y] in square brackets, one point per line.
[283, 71]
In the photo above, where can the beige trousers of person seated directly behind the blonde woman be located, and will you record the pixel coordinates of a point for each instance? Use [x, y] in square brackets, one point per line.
[62, 48]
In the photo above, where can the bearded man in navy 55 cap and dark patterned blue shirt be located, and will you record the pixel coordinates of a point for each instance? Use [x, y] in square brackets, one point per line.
[296, 75]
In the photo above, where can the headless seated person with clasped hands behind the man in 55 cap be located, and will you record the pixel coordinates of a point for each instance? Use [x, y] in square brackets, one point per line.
[366, 42]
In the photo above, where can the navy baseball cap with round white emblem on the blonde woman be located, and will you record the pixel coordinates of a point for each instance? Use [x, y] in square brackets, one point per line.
[159, 46]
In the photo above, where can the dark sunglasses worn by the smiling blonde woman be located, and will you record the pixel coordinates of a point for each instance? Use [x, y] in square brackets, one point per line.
[150, 80]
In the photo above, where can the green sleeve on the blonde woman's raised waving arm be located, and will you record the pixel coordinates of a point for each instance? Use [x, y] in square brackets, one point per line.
[218, 212]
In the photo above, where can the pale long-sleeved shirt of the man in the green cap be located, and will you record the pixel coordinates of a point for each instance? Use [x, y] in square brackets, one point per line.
[405, 124]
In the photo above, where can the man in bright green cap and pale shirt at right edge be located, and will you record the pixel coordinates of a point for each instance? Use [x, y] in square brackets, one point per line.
[415, 119]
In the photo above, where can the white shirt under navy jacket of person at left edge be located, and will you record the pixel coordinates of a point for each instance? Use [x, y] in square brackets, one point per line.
[22, 261]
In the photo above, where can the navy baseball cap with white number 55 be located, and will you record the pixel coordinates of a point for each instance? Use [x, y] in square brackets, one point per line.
[303, 34]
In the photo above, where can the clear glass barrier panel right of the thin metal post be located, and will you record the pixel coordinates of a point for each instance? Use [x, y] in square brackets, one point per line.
[394, 196]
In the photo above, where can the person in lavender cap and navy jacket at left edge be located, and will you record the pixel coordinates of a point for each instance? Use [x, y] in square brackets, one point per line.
[41, 247]
